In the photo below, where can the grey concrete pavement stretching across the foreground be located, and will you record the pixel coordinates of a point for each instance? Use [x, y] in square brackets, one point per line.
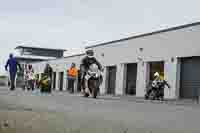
[62, 112]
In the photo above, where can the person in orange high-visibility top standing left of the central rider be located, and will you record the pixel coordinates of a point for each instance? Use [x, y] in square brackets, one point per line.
[72, 75]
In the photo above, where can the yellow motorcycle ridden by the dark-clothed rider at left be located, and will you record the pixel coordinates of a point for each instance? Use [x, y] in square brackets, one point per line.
[45, 84]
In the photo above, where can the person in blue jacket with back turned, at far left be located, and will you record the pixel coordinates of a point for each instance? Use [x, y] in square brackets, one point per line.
[12, 64]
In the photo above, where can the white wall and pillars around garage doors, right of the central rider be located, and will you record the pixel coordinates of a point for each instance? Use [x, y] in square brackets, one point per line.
[158, 47]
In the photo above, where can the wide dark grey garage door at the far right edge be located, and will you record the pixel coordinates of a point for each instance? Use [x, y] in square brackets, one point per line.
[190, 76]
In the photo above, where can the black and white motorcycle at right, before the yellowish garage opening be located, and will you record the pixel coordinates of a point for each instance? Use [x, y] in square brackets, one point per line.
[156, 90]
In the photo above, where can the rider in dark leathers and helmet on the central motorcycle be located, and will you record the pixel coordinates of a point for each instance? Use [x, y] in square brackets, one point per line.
[85, 64]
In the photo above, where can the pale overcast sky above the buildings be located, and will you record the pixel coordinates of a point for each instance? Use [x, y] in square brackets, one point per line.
[76, 23]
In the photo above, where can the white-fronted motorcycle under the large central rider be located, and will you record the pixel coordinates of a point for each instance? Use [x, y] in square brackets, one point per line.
[94, 81]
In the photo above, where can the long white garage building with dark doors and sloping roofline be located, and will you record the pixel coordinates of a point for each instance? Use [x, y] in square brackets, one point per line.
[130, 62]
